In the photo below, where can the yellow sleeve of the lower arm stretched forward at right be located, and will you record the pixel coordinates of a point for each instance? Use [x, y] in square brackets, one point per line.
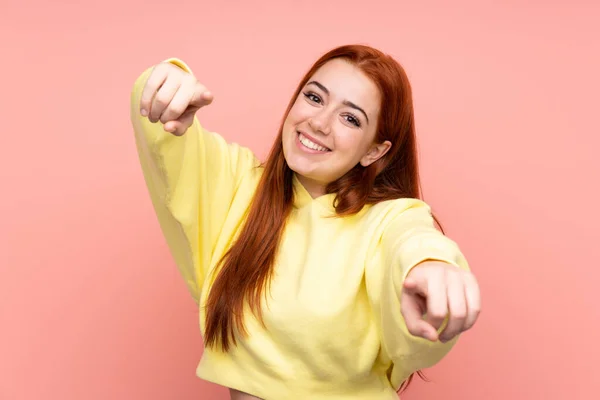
[410, 238]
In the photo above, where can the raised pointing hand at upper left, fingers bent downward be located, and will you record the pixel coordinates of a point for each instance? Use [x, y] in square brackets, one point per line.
[172, 96]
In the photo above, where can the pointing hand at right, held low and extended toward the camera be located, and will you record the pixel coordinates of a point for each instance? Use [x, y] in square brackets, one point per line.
[434, 291]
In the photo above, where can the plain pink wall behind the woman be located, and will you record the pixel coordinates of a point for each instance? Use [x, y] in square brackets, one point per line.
[91, 306]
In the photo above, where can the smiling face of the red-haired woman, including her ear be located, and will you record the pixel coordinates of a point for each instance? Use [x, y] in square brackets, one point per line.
[332, 126]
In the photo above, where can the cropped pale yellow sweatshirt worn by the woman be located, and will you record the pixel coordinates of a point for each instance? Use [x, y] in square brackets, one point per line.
[334, 326]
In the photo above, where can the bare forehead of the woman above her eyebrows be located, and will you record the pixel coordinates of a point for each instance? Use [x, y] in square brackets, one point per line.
[347, 82]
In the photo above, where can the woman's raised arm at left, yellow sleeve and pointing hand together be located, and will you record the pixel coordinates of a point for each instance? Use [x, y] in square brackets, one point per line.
[191, 173]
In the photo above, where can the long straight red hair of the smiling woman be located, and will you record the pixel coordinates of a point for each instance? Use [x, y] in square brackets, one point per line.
[247, 267]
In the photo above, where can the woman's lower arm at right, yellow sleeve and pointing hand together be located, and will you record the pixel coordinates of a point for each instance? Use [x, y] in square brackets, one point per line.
[422, 290]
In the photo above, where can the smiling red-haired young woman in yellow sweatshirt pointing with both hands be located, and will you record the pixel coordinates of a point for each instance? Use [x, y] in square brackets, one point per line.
[320, 273]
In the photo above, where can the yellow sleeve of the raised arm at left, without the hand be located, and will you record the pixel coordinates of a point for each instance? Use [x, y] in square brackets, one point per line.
[191, 181]
